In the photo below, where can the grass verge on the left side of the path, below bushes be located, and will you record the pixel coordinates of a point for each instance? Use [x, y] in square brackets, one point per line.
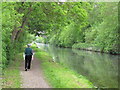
[11, 74]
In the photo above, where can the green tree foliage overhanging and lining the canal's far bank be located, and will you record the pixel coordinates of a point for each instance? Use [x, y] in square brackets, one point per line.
[71, 23]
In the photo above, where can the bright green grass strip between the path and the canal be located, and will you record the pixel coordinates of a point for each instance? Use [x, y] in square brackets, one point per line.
[58, 75]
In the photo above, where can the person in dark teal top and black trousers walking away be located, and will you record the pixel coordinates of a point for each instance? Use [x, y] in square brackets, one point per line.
[28, 57]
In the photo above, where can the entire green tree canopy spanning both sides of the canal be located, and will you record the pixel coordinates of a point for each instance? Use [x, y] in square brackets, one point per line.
[65, 24]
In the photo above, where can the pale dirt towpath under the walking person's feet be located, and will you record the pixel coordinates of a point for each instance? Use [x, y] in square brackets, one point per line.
[33, 78]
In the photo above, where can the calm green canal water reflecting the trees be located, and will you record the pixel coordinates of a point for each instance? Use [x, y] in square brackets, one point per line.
[99, 68]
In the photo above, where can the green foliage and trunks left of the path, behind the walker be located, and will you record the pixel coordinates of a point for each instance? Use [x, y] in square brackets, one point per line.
[11, 44]
